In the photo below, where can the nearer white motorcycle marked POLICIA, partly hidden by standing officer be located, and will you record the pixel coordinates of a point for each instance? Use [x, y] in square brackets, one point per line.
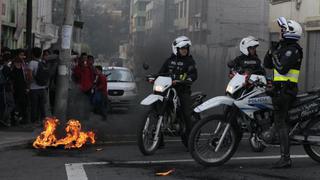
[214, 140]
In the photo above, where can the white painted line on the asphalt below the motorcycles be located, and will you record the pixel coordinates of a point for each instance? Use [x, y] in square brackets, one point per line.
[75, 171]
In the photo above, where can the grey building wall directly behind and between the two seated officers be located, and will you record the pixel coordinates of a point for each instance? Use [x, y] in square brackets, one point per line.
[229, 22]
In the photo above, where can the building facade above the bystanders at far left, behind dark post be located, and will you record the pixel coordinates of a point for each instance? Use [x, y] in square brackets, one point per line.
[14, 13]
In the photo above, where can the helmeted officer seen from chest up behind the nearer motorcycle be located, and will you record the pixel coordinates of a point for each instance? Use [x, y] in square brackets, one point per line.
[248, 61]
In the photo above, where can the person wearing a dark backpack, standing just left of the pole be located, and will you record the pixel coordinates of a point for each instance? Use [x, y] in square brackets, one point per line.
[39, 77]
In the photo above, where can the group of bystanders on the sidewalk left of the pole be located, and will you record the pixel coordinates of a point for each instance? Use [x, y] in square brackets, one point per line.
[25, 84]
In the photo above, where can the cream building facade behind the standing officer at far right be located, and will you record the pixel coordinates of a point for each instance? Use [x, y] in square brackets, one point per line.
[307, 13]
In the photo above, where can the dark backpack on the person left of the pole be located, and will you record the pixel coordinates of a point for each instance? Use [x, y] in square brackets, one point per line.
[43, 74]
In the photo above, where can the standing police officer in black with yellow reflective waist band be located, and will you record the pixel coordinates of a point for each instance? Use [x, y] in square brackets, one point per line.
[285, 60]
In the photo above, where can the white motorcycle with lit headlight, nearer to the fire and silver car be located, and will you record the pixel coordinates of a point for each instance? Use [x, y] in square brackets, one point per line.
[164, 117]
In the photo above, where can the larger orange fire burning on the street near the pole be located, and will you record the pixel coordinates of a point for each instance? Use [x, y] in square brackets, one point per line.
[75, 138]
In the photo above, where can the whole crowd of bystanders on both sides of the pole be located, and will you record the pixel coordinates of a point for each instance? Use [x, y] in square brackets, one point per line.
[28, 85]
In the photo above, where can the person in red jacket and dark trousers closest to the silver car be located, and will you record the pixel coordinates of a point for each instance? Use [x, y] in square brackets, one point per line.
[99, 93]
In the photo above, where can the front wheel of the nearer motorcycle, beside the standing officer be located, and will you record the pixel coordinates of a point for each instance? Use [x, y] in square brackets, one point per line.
[205, 138]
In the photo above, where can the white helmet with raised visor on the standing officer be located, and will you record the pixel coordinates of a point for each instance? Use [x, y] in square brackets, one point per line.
[290, 29]
